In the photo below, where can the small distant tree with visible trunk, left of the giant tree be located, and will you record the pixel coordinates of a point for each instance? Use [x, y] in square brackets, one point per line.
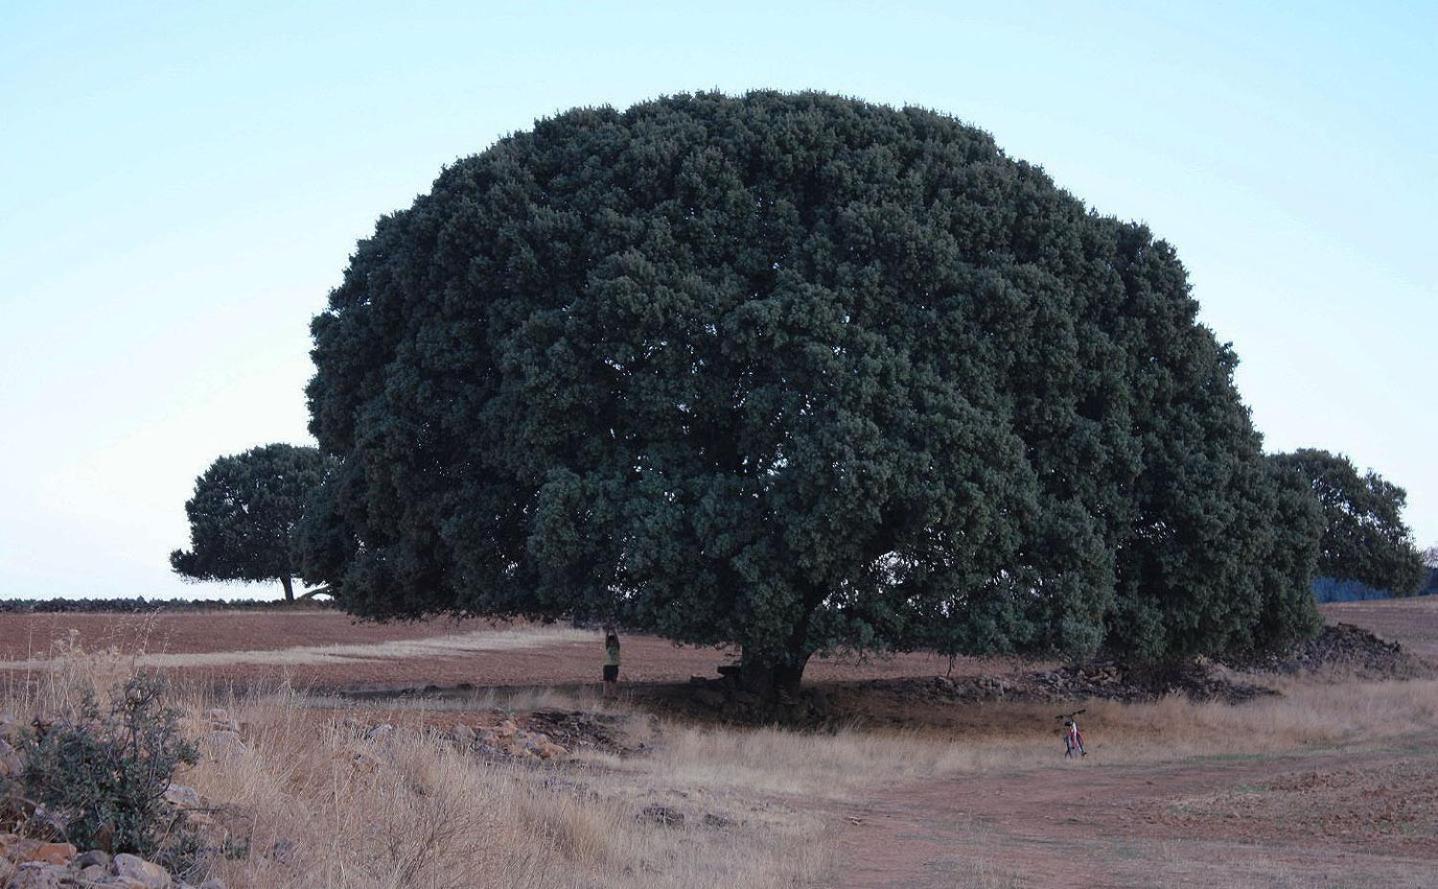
[244, 513]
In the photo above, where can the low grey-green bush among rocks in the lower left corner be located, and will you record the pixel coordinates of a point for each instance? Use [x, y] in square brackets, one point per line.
[106, 775]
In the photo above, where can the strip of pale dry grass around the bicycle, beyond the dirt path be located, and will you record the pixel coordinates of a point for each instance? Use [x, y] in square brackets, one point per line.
[1020, 737]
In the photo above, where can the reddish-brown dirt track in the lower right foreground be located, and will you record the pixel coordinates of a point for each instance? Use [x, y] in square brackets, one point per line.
[1335, 821]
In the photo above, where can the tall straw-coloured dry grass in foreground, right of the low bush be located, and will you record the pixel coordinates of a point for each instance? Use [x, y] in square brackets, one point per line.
[415, 812]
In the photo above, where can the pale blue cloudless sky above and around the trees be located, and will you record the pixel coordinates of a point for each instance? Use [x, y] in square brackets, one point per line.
[182, 183]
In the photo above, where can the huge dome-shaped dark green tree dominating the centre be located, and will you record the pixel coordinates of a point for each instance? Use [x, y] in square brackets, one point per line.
[793, 372]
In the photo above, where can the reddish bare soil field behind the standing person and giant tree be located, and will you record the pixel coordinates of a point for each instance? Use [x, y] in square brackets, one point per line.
[327, 649]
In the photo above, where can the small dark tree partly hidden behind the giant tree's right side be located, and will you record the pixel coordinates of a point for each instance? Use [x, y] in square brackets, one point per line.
[1364, 533]
